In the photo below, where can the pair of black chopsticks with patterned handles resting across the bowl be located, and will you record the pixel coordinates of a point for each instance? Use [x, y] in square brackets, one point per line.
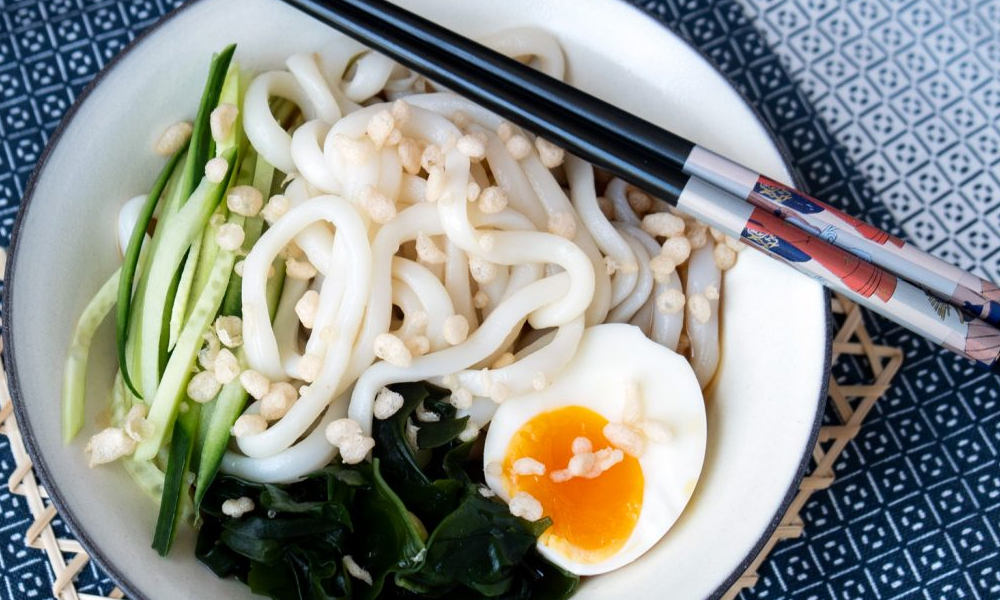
[879, 271]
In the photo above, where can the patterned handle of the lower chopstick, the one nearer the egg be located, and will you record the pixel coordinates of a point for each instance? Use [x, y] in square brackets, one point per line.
[865, 283]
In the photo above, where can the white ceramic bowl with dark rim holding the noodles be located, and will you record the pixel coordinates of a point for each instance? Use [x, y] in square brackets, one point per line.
[763, 409]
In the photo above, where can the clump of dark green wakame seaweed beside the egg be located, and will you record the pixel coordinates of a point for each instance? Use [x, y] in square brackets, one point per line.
[414, 520]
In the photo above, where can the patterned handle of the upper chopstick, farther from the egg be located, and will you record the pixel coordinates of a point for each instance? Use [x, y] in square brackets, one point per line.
[978, 297]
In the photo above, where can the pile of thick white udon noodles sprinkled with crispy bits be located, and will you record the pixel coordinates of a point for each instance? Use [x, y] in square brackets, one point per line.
[428, 239]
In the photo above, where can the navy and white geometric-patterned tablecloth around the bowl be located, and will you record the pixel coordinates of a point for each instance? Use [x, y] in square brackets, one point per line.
[888, 108]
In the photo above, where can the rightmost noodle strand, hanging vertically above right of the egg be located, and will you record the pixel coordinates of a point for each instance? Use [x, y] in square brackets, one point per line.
[702, 273]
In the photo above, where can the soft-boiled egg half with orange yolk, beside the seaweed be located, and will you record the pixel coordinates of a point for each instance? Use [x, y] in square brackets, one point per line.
[610, 451]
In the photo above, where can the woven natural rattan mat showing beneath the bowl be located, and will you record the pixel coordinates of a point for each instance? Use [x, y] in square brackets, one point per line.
[850, 403]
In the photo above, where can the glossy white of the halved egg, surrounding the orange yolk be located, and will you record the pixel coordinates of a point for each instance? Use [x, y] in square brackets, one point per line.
[596, 378]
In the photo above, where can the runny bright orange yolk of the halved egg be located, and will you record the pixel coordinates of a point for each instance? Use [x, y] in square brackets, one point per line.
[591, 518]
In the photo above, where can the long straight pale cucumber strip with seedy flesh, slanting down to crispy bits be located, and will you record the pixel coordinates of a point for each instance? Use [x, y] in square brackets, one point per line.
[173, 386]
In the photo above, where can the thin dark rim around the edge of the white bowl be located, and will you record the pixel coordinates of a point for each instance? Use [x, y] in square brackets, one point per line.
[56, 496]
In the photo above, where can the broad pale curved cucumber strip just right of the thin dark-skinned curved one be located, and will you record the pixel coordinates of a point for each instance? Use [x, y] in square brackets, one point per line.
[182, 229]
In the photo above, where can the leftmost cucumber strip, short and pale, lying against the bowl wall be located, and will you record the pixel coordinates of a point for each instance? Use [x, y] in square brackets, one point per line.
[75, 373]
